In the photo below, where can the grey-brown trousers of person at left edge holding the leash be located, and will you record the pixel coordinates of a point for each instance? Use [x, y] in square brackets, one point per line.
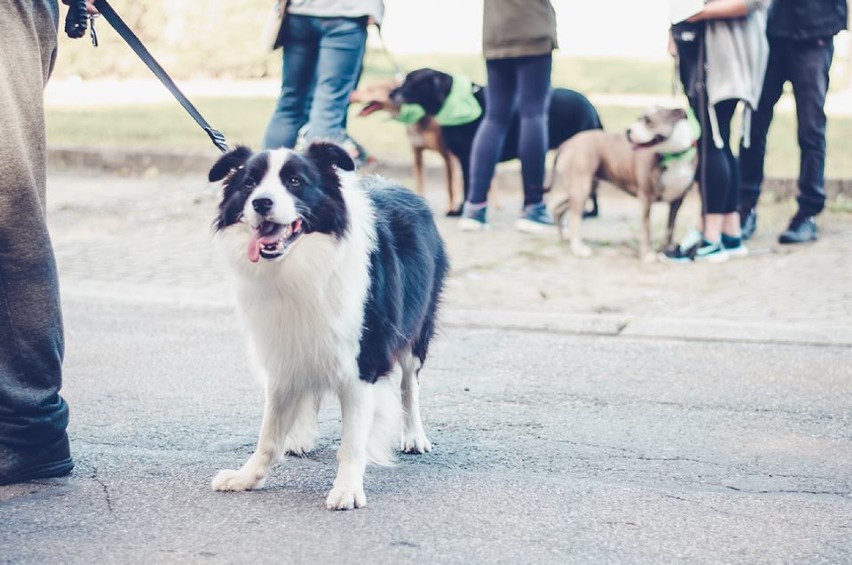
[31, 334]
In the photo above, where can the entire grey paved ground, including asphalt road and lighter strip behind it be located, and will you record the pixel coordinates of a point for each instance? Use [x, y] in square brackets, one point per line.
[580, 411]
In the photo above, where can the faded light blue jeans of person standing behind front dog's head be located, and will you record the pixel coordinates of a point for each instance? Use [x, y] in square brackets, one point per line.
[321, 66]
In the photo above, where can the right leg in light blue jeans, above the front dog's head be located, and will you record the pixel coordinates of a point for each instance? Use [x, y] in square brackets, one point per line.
[341, 49]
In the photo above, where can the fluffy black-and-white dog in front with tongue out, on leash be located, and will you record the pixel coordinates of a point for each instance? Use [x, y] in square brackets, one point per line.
[338, 280]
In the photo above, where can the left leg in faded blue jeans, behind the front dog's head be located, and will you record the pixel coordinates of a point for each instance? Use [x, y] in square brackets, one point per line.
[299, 62]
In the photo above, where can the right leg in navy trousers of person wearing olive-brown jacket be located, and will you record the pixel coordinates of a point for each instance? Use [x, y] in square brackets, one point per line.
[533, 99]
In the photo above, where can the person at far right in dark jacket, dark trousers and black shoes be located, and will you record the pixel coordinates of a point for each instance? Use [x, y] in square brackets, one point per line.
[801, 49]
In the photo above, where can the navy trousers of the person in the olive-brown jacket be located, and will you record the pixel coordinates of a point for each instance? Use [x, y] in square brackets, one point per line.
[516, 84]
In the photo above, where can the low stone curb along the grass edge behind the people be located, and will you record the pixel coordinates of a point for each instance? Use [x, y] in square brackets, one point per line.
[184, 161]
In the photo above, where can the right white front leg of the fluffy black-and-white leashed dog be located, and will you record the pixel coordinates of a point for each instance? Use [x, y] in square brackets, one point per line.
[357, 405]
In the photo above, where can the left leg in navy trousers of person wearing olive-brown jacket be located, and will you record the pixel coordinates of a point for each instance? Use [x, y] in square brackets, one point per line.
[488, 142]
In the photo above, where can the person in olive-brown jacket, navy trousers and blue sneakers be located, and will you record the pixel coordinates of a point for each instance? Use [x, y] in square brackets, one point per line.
[518, 38]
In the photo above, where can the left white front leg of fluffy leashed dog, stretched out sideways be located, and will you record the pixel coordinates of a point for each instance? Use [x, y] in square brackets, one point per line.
[278, 416]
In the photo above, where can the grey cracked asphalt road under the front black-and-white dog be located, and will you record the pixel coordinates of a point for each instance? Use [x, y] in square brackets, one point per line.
[549, 448]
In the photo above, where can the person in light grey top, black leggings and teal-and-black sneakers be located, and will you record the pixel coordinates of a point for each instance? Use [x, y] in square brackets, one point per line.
[722, 55]
